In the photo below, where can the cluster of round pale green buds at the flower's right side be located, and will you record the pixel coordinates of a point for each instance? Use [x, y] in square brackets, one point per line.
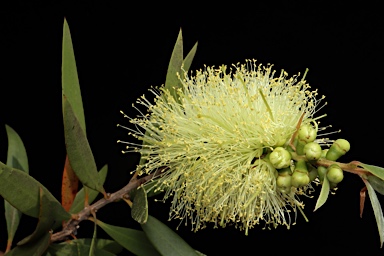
[299, 171]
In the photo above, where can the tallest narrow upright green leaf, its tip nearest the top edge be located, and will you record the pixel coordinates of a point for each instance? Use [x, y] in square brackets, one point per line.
[69, 78]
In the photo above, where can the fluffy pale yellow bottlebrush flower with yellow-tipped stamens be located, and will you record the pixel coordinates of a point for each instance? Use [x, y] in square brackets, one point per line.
[210, 142]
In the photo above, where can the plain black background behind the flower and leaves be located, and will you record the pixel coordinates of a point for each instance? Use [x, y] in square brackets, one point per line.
[123, 49]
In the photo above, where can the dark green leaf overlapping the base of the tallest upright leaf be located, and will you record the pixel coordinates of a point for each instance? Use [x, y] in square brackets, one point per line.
[78, 150]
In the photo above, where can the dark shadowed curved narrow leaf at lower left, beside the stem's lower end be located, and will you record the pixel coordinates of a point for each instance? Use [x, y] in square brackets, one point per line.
[45, 220]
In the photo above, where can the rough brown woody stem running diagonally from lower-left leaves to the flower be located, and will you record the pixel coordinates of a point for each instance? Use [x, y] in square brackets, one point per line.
[72, 225]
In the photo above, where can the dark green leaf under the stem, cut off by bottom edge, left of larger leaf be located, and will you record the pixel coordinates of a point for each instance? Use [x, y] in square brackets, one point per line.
[133, 240]
